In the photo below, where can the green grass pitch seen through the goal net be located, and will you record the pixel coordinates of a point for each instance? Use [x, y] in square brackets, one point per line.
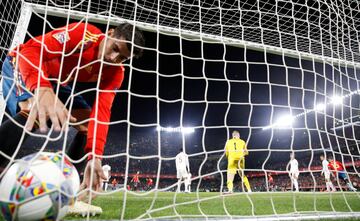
[170, 204]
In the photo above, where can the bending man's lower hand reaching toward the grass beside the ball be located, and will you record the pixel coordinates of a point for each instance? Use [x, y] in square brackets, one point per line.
[93, 168]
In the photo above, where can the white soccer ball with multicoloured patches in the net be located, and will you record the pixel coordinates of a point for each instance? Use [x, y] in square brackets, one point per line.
[40, 186]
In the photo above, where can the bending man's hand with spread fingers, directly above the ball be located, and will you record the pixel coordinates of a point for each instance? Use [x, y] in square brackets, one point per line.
[45, 104]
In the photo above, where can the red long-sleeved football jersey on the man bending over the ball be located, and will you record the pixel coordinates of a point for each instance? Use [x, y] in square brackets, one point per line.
[65, 54]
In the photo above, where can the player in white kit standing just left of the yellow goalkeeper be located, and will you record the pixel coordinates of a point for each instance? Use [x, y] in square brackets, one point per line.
[183, 171]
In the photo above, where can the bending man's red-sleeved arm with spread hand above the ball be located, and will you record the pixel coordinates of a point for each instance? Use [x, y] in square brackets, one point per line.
[31, 57]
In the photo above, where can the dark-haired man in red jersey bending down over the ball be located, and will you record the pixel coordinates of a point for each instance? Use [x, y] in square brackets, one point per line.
[38, 80]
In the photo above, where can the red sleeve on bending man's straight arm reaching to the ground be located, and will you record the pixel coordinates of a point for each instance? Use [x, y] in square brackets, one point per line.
[101, 110]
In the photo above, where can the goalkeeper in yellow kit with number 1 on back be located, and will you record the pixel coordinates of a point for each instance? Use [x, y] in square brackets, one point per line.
[235, 151]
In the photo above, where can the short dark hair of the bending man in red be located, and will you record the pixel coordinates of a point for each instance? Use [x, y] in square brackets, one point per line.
[126, 30]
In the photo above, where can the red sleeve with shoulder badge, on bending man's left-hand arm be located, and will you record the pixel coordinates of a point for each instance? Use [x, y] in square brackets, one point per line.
[51, 45]
